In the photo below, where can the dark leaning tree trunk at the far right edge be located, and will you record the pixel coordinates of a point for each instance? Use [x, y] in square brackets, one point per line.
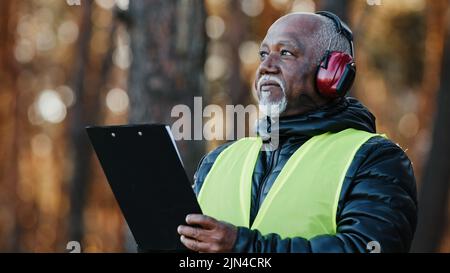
[436, 176]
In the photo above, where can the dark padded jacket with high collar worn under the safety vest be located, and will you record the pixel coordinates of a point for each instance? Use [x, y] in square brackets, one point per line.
[378, 197]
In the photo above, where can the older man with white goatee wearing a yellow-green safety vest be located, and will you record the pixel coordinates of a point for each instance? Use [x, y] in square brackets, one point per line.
[339, 186]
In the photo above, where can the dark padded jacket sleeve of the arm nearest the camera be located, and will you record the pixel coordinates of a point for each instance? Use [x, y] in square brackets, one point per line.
[377, 204]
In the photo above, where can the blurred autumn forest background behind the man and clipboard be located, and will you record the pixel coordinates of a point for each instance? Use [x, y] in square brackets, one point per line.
[64, 66]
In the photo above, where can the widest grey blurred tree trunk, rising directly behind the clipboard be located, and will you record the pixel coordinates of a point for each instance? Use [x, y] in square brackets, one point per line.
[168, 49]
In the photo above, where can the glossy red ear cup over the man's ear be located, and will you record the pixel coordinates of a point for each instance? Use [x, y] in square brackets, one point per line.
[335, 74]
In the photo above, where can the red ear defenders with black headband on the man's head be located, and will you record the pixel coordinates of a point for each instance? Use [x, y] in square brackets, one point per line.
[336, 71]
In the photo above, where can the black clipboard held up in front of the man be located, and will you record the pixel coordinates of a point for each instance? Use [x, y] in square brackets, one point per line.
[146, 175]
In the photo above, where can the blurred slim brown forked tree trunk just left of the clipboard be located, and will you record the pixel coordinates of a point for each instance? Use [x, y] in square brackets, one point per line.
[86, 112]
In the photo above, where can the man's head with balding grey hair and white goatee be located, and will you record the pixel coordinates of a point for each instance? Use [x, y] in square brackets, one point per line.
[290, 53]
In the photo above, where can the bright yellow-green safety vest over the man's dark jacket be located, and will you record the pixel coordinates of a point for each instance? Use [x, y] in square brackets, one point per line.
[303, 199]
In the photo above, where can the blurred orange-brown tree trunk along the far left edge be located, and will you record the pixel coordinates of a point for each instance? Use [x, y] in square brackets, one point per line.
[10, 107]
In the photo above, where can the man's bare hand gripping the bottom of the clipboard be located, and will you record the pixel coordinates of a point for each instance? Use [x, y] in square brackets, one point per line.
[210, 235]
